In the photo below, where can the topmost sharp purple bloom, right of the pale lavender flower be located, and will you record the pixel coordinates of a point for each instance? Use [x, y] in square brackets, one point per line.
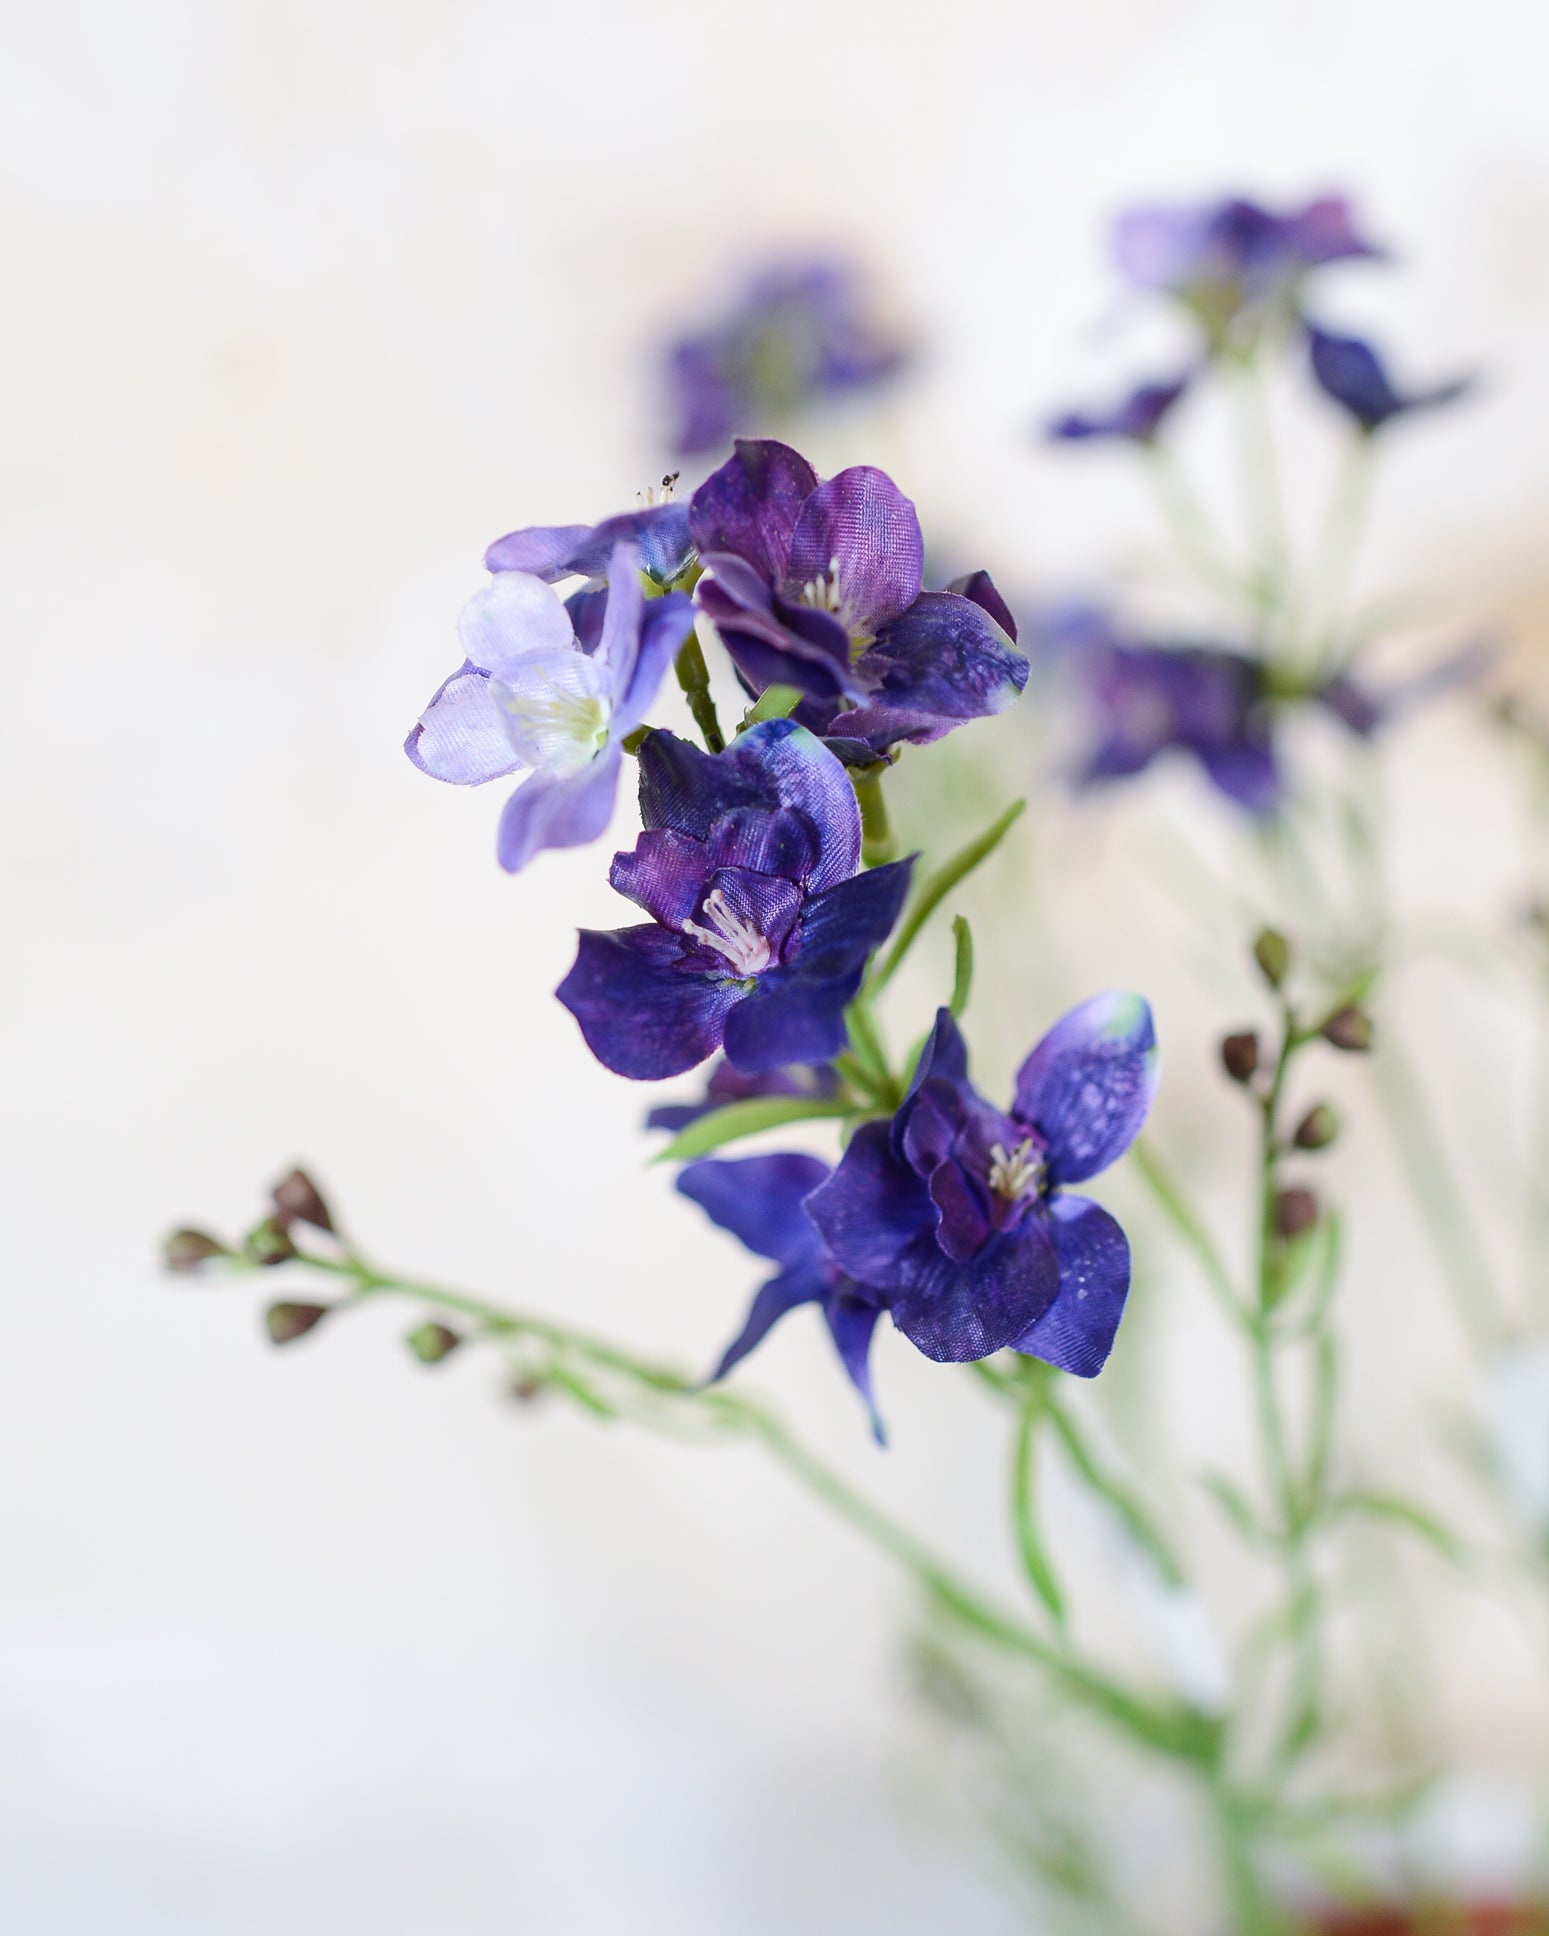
[818, 586]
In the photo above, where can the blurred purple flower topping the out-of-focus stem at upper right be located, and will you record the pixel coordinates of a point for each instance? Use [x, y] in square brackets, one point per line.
[1227, 258]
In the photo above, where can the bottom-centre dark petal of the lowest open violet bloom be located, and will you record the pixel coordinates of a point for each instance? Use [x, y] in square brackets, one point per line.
[965, 1312]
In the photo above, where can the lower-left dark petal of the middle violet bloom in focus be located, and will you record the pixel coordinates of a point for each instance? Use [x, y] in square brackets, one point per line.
[640, 1012]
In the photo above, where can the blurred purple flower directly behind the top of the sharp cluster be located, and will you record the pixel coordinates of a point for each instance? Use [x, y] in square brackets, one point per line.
[799, 334]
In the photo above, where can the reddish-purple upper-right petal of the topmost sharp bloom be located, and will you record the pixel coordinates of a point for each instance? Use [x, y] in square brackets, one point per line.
[863, 528]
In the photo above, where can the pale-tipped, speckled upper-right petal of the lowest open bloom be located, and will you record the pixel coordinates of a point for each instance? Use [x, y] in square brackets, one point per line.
[1089, 1085]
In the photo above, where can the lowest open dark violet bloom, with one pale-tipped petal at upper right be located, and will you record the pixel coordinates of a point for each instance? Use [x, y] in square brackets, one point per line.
[959, 1215]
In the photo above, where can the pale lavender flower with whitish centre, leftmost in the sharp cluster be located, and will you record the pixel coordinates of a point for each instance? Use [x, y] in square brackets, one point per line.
[549, 694]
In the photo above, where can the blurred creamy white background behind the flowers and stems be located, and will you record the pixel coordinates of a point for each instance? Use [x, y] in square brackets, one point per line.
[305, 307]
